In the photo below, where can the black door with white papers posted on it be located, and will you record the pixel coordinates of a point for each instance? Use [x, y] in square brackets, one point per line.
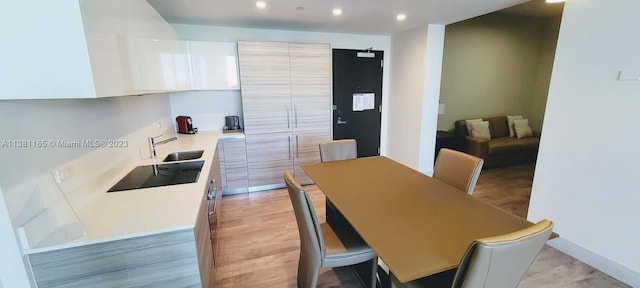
[357, 98]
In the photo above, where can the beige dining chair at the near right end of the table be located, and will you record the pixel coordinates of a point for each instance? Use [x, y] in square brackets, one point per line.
[496, 262]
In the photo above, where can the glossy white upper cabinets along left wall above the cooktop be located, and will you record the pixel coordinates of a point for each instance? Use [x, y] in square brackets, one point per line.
[88, 49]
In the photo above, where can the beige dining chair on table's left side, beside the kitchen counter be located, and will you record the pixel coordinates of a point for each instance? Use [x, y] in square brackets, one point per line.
[320, 247]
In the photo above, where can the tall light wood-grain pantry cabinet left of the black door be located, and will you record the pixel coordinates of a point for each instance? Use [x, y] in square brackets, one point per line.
[286, 97]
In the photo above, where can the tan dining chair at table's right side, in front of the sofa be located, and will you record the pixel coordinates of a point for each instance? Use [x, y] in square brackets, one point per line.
[458, 169]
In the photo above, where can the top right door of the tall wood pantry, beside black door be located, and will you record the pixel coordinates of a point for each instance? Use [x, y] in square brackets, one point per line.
[310, 60]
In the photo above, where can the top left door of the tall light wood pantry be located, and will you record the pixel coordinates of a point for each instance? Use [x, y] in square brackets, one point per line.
[263, 60]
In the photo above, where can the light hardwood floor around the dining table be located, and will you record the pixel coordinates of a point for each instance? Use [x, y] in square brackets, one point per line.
[259, 244]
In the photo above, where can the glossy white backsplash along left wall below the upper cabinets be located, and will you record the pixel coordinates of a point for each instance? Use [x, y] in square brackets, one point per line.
[38, 205]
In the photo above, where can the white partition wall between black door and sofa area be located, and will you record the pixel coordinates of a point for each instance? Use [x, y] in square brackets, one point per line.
[414, 92]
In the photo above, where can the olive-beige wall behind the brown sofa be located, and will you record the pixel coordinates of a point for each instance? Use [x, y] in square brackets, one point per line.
[492, 67]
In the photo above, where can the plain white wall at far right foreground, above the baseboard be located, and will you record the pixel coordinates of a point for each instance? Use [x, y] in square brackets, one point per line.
[586, 175]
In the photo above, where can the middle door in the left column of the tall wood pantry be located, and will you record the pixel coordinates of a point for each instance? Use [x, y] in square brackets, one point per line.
[266, 105]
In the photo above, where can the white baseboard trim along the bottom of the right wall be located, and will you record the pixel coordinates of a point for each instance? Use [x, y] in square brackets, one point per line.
[597, 261]
